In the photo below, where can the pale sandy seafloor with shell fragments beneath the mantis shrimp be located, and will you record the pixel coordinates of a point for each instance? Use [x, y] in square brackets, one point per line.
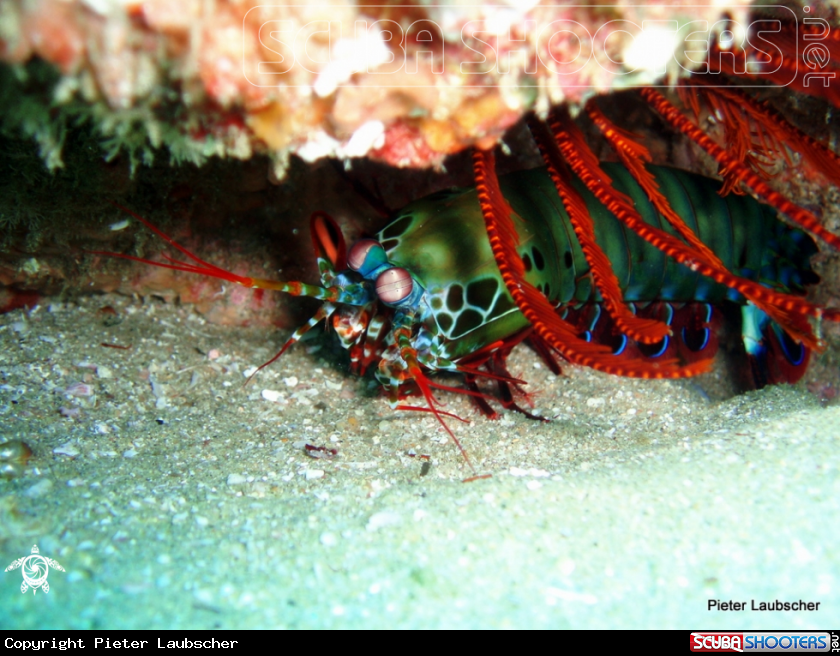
[175, 497]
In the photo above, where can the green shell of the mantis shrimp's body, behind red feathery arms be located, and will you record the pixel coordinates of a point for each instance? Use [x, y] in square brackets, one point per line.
[442, 240]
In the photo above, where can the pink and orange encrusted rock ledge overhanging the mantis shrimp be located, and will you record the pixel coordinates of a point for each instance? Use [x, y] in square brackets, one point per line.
[304, 79]
